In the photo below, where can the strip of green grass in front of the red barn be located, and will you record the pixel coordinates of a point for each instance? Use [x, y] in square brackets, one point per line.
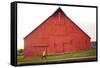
[86, 53]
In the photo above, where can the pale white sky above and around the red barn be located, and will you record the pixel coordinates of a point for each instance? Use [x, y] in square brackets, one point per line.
[32, 15]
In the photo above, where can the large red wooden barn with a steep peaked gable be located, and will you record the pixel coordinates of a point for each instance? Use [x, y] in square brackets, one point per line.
[58, 34]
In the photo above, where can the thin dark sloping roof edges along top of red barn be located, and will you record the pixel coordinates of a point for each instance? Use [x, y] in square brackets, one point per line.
[58, 10]
